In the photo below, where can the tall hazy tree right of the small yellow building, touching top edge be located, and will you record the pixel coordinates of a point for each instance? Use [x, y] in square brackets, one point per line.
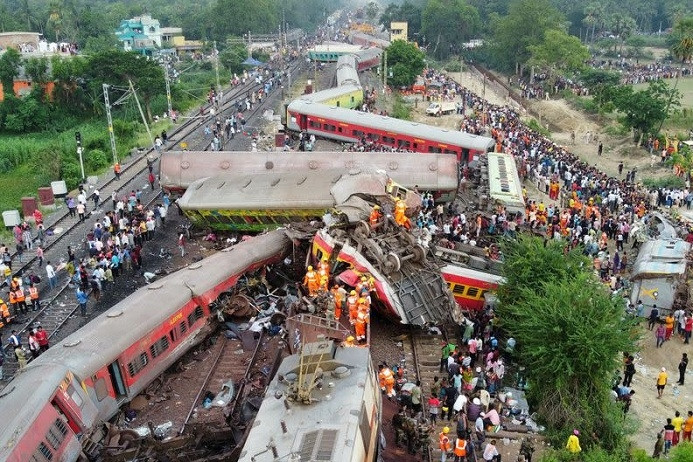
[448, 23]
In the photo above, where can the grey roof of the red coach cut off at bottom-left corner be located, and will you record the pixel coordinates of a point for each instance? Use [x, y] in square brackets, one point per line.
[23, 399]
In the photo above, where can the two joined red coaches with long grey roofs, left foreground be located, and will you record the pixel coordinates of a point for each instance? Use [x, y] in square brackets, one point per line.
[49, 409]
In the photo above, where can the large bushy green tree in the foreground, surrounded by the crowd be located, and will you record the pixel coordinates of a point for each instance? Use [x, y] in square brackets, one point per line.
[570, 334]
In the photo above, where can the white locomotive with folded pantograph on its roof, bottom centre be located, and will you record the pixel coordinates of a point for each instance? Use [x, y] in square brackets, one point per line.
[331, 415]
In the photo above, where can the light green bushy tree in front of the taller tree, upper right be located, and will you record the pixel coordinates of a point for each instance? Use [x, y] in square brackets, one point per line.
[559, 51]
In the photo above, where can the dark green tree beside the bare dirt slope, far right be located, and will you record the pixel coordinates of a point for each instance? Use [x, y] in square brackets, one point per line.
[643, 110]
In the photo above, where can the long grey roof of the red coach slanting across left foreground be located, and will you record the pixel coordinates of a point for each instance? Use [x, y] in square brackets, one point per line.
[103, 339]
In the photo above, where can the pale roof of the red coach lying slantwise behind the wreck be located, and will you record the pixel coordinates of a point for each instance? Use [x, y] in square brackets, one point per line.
[414, 129]
